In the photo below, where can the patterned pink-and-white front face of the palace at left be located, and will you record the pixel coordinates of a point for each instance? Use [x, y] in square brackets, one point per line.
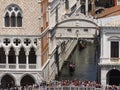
[20, 44]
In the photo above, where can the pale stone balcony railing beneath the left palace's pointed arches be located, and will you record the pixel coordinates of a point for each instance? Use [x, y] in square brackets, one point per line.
[20, 66]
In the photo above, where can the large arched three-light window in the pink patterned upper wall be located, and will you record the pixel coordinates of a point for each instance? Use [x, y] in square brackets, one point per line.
[13, 16]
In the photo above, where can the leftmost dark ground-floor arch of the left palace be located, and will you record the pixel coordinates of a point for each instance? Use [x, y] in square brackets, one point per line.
[7, 82]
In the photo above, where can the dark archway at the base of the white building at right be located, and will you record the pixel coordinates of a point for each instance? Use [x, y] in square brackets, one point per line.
[113, 77]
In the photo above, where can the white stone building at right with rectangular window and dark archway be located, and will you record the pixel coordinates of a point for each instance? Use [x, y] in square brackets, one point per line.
[109, 56]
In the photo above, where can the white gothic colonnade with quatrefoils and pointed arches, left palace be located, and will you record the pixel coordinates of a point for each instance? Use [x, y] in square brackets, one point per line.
[15, 51]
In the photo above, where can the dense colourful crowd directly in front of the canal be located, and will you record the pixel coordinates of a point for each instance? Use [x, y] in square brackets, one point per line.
[71, 83]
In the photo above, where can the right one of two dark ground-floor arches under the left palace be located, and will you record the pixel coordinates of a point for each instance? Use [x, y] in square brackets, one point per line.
[27, 80]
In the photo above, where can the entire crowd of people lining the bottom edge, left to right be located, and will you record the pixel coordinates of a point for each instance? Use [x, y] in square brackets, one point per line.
[84, 85]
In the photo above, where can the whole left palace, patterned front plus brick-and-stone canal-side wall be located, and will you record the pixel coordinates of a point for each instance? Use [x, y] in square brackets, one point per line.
[25, 50]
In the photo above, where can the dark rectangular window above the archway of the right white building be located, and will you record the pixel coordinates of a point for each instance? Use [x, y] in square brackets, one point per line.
[114, 49]
